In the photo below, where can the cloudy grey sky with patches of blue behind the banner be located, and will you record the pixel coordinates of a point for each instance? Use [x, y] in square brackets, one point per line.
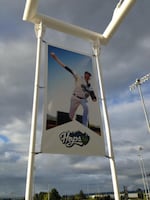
[124, 59]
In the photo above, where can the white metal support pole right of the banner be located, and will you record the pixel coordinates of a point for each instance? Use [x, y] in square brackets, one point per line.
[96, 47]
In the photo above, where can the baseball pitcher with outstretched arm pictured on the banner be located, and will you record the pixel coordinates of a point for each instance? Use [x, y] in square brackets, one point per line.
[82, 91]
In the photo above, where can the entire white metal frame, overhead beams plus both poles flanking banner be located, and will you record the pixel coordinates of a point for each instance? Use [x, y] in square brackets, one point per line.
[31, 14]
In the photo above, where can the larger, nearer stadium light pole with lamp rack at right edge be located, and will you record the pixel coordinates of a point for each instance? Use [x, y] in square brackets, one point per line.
[138, 84]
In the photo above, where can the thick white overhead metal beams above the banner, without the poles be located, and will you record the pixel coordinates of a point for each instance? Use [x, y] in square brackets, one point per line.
[31, 14]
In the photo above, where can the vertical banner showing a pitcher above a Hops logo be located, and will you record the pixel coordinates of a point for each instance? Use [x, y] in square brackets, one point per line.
[72, 118]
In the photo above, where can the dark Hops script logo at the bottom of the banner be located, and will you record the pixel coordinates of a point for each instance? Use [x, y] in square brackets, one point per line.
[69, 139]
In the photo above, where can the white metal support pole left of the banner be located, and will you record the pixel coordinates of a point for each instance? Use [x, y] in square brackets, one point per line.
[30, 169]
